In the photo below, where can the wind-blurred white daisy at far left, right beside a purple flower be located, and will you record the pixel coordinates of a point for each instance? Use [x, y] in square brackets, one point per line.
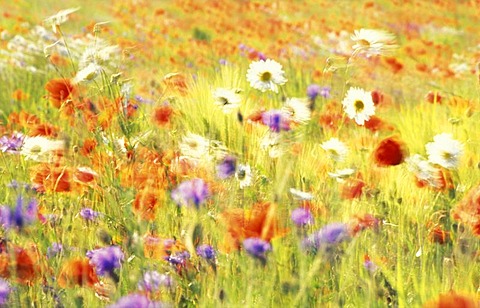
[41, 148]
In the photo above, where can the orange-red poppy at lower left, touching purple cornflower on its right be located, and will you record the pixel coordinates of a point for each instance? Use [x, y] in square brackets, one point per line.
[77, 272]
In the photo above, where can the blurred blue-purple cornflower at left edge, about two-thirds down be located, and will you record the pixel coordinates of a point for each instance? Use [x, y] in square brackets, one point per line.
[20, 216]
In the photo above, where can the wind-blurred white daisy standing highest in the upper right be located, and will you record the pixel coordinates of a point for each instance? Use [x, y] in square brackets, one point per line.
[373, 42]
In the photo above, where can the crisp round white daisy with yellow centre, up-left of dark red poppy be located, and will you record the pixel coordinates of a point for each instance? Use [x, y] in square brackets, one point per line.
[358, 105]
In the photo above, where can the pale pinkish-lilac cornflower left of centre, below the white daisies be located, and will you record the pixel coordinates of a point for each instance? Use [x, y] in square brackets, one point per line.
[193, 192]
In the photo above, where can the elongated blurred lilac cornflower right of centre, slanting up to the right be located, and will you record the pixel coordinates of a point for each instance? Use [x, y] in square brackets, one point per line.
[330, 234]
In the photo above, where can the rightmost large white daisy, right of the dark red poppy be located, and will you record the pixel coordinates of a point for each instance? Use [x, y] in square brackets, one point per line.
[444, 151]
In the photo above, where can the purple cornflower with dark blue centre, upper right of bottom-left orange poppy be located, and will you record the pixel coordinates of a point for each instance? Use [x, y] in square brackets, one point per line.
[106, 259]
